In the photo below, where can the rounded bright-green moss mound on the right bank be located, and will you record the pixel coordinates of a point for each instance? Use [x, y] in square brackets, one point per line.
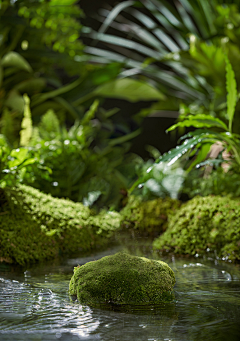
[204, 222]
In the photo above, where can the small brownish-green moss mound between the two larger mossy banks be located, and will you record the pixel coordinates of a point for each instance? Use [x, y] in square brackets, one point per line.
[148, 217]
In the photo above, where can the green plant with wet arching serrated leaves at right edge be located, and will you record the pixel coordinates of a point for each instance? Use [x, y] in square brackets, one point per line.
[209, 130]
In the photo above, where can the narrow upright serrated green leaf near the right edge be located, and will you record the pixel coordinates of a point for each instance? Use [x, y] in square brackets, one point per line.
[231, 87]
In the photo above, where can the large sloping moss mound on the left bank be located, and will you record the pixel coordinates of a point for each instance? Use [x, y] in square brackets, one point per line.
[35, 226]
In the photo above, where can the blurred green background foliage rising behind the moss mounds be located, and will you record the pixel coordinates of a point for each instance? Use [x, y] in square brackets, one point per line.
[171, 56]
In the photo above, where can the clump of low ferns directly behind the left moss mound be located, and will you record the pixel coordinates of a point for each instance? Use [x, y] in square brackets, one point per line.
[80, 171]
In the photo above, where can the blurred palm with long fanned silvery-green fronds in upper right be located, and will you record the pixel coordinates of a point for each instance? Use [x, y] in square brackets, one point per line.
[177, 46]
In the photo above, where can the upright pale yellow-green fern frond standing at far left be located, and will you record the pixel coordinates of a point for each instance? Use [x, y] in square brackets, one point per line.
[26, 132]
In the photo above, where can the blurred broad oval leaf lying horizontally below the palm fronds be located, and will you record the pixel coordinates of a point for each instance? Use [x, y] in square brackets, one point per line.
[130, 90]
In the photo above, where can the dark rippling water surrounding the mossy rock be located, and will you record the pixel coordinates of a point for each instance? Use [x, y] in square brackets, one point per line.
[34, 305]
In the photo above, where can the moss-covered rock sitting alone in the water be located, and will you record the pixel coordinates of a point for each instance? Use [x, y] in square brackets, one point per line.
[122, 279]
